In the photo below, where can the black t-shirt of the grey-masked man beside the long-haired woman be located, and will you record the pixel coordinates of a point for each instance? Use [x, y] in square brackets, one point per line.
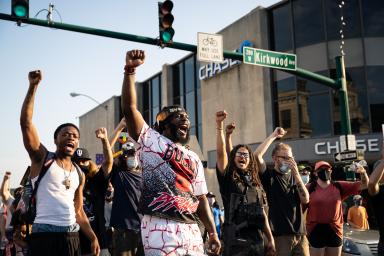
[285, 211]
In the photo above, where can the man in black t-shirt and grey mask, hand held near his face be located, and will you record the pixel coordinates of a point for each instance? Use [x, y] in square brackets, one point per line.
[286, 194]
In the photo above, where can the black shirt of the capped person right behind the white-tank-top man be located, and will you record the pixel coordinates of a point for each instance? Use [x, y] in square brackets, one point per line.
[93, 205]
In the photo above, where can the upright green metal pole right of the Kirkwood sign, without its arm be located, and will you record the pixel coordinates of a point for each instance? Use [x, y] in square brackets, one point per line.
[343, 96]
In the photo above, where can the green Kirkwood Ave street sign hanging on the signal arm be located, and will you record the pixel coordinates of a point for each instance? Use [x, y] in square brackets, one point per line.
[270, 59]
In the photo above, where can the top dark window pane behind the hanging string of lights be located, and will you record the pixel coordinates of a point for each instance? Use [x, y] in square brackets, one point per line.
[351, 17]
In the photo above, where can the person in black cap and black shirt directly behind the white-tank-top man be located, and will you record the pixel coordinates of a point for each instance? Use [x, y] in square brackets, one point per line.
[93, 193]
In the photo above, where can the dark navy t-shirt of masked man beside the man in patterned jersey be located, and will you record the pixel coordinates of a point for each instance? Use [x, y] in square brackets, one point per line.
[126, 196]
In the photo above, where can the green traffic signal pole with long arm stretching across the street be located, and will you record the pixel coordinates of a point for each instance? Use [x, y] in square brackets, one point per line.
[339, 84]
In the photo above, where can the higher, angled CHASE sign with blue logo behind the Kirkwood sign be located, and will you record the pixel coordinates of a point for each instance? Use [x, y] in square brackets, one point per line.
[213, 69]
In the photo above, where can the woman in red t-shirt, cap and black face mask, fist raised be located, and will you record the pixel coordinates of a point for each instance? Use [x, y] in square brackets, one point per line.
[325, 214]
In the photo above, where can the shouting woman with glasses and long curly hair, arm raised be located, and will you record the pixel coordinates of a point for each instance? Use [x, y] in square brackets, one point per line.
[243, 196]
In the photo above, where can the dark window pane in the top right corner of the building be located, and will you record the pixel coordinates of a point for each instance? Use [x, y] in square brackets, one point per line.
[373, 13]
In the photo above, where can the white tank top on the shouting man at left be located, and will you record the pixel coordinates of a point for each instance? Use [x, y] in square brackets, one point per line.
[54, 203]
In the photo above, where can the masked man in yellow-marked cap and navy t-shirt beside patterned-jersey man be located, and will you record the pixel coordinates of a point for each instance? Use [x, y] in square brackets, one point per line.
[126, 177]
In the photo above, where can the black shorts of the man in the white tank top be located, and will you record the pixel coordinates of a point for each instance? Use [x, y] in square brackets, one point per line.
[51, 243]
